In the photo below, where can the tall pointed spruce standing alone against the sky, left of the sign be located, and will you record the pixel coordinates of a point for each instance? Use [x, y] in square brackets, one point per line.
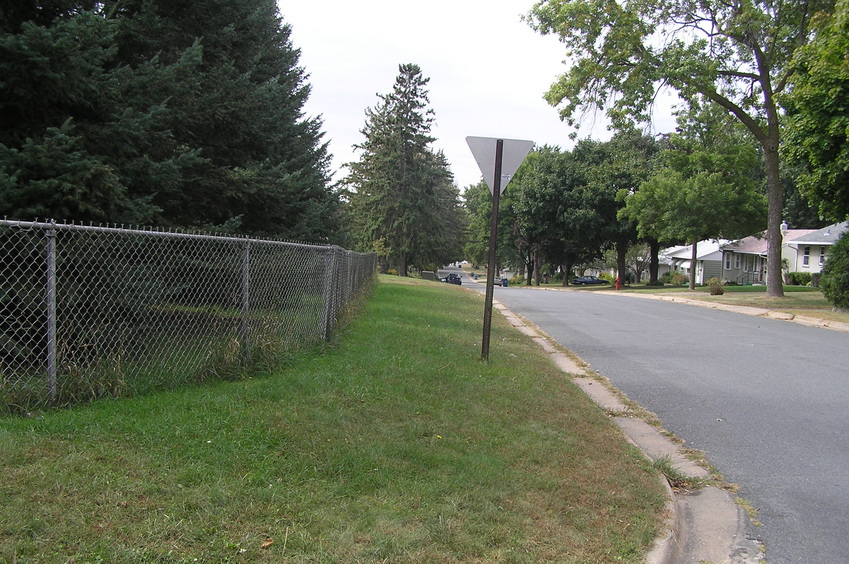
[401, 193]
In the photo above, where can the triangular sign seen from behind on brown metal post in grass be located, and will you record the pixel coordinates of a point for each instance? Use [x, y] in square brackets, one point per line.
[508, 154]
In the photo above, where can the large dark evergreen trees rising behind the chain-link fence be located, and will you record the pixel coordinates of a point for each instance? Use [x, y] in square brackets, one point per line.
[186, 114]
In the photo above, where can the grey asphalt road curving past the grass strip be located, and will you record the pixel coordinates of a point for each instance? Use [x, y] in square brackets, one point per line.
[766, 400]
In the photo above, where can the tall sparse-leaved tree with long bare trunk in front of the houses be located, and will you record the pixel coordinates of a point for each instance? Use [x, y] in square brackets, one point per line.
[735, 53]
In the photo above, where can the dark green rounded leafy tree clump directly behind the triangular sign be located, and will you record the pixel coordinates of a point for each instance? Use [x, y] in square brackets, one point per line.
[560, 209]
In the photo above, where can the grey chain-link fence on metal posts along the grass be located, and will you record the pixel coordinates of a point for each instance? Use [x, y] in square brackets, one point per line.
[89, 312]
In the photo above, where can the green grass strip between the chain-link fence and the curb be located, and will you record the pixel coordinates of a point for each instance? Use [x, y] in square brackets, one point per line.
[397, 445]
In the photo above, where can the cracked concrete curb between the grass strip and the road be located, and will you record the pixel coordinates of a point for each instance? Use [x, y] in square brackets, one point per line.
[704, 525]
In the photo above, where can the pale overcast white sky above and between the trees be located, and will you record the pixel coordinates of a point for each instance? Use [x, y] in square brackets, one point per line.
[488, 71]
